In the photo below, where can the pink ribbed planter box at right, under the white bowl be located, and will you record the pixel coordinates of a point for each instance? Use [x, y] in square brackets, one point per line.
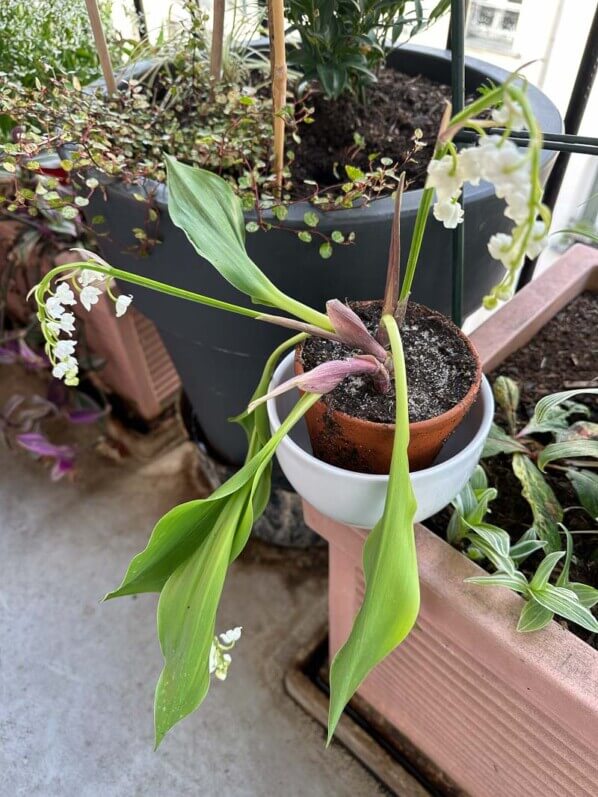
[503, 714]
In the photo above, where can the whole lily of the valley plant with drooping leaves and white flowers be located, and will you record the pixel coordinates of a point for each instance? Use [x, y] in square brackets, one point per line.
[192, 546]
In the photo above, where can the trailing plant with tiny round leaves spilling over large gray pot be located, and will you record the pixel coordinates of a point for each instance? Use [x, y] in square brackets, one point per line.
[172, 106]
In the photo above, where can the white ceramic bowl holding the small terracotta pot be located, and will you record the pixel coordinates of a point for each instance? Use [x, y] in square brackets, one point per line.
[358, 498]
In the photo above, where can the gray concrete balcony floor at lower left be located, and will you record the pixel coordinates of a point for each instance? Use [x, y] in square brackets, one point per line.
[77, 677]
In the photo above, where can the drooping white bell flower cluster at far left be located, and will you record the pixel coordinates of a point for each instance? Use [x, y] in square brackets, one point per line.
[56, 319]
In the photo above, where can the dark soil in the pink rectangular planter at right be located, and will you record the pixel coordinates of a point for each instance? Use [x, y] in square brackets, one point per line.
[560, 357]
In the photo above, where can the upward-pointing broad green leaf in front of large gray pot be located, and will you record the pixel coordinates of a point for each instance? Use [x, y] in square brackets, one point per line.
[205, 207]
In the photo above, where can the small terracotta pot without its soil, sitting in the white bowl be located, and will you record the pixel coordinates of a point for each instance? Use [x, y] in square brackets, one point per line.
[365, 446]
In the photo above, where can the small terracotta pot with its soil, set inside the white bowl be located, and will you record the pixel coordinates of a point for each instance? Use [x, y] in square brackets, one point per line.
[353, 426]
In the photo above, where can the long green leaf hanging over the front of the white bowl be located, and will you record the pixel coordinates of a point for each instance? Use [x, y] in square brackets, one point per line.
[391, 601]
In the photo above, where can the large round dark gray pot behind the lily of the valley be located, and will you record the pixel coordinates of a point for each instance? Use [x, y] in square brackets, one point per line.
[219, 357]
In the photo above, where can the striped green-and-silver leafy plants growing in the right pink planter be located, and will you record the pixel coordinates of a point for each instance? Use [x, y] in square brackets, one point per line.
[575, 449]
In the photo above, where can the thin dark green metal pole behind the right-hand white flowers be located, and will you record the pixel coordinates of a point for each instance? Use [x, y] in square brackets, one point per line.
[458, 97]
